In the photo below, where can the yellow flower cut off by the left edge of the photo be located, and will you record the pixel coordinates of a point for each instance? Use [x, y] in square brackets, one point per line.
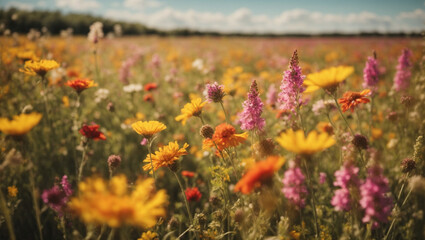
[20, 125]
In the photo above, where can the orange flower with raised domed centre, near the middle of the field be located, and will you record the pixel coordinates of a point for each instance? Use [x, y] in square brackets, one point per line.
[225, 136]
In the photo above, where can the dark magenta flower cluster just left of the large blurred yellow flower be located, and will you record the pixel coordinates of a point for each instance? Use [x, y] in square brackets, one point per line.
[58, 196]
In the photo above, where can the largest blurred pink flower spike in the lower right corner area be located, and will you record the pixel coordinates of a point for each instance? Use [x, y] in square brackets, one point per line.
[374, 199]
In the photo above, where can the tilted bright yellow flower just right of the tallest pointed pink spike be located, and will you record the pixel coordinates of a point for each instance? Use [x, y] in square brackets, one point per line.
[327, 79]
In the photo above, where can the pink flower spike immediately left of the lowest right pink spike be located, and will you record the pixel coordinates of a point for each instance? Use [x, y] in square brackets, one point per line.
[346, 178]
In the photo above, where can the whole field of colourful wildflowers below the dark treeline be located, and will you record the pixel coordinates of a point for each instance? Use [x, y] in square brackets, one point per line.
[212, 138]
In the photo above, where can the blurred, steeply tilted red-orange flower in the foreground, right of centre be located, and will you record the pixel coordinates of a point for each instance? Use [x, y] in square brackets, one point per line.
[258, 174]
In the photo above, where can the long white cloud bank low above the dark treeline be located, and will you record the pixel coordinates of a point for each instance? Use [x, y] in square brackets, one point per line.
[291, 21]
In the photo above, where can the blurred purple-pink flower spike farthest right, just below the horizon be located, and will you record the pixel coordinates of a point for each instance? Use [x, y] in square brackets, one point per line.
[402, 77]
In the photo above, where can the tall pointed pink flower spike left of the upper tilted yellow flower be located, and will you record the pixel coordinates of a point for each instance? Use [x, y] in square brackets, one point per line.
[291, 87]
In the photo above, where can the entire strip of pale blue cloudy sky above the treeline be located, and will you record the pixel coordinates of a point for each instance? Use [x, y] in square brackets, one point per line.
[310, 16]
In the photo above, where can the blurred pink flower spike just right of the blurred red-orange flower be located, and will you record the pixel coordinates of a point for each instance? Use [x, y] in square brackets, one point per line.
[294, 187]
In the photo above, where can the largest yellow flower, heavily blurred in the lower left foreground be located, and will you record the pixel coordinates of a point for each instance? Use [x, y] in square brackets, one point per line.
[100, 202]
